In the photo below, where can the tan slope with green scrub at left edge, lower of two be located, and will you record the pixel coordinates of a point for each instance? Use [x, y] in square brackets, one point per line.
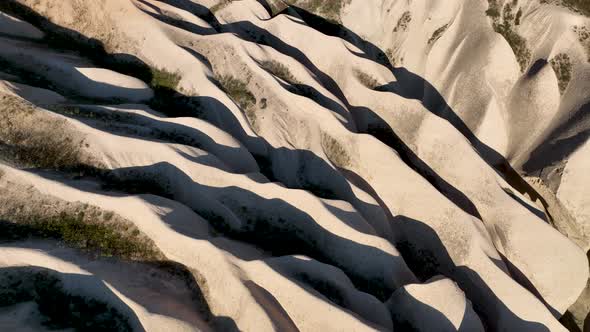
[81, 226]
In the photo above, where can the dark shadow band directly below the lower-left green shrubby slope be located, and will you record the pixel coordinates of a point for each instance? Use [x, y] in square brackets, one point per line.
[135, 272]
